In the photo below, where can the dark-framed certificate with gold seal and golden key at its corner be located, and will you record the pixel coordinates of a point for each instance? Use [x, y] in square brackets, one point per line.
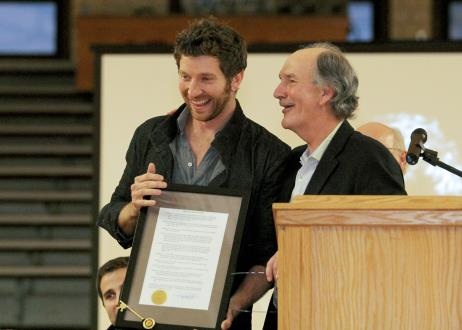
[184, 251]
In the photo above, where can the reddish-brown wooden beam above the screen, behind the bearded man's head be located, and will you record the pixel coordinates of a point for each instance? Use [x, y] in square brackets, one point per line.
[163, 29]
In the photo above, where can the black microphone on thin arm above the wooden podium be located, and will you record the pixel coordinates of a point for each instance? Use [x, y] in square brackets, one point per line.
[416, 149]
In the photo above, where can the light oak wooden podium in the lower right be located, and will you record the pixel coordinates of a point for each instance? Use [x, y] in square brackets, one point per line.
[370, 262]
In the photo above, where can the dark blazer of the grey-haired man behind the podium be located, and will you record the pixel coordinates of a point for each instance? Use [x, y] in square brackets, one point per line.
[353, 164]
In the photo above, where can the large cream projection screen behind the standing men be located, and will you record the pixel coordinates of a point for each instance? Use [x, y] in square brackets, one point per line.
[404, 90]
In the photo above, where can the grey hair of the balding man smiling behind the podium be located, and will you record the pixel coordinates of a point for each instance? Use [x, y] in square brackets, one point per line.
[334, 70]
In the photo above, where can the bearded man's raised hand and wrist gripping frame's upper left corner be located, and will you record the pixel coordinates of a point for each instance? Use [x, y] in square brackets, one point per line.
[147, 184]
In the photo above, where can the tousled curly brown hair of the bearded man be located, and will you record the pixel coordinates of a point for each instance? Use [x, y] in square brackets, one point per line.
[209, 37]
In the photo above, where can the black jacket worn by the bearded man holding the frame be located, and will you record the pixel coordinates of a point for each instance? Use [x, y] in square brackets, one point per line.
[254, 160]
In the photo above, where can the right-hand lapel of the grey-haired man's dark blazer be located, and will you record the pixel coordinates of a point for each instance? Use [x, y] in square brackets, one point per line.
[329, 160]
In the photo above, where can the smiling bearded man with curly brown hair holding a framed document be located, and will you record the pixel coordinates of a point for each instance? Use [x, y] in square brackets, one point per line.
[208, 141]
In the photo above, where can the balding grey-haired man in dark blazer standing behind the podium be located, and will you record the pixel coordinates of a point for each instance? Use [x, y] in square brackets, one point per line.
[317, 93]
